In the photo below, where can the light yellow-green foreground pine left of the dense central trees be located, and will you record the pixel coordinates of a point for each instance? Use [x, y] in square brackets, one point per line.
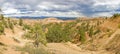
[36, 33]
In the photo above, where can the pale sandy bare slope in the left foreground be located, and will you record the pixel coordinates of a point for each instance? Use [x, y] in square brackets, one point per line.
[9, 39]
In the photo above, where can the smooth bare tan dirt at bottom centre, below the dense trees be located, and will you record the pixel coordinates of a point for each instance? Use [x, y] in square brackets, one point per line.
[62, 48]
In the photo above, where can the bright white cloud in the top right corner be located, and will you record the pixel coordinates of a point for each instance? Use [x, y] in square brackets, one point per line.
[110, 5]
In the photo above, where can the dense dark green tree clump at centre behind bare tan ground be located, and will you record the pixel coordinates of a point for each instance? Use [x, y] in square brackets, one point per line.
[57, 33]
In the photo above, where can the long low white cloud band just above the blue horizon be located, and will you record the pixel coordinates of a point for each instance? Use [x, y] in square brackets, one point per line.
[52, 14]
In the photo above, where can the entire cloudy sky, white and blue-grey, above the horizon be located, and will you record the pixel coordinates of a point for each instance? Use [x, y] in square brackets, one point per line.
[65, 8]
